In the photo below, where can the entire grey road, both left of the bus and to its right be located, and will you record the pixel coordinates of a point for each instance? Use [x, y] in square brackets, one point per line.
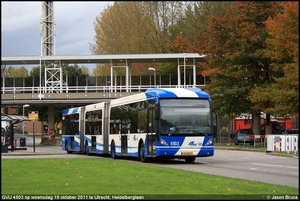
[255, 166]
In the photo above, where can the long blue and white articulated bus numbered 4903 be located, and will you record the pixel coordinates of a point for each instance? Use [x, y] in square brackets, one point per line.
[152, 124]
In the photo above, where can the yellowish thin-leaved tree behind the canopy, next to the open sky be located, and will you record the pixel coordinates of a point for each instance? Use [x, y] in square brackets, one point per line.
[135, 28]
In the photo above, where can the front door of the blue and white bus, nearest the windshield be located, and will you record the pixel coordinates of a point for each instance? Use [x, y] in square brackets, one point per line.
[151, 132]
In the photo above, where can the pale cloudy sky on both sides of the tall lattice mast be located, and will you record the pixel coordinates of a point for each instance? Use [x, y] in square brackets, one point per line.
[74, 24]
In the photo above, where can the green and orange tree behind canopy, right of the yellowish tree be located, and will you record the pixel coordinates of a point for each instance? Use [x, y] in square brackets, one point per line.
[192, 27]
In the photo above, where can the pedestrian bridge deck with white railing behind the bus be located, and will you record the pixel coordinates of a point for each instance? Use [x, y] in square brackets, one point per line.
[78, 95]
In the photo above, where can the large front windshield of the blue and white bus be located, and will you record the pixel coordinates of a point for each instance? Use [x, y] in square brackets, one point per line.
[188, 117]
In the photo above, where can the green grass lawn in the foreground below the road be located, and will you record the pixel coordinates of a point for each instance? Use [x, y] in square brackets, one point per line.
[102, 176]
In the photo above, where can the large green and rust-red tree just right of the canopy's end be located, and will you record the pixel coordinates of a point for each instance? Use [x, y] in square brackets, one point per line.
[236, 62]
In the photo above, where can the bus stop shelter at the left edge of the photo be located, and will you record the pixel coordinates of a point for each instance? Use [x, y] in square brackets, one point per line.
[7, 131]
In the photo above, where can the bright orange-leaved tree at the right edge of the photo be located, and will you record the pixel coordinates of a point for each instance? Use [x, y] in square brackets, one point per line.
[283, 49]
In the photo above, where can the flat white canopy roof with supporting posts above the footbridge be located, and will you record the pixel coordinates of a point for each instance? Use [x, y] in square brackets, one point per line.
[53, 82]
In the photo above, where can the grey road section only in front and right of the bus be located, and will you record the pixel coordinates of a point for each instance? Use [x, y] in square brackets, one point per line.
[255, 166]
